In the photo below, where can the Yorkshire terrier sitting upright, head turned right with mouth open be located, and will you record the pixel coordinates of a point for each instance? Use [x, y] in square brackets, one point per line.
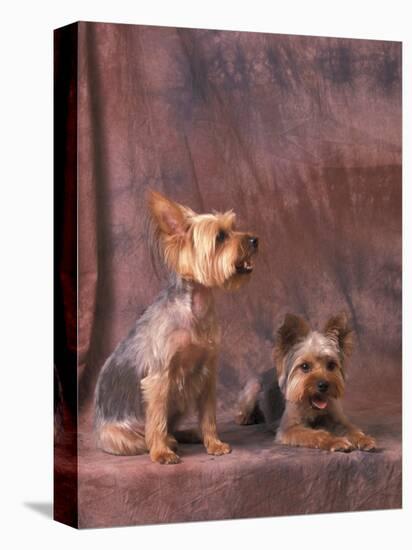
[166, 366]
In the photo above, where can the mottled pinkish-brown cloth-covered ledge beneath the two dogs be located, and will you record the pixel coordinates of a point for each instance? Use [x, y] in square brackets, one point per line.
[259, 478]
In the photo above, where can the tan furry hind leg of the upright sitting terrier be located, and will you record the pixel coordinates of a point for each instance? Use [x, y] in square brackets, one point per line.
[121, 439]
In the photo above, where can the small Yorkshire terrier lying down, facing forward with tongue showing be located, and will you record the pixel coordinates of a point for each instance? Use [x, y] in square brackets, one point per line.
[310, 368]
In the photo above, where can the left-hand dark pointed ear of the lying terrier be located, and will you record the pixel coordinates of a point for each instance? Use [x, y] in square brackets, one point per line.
[293, 329]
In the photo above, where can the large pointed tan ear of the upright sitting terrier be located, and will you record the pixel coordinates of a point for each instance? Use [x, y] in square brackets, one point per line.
[170, 217]
